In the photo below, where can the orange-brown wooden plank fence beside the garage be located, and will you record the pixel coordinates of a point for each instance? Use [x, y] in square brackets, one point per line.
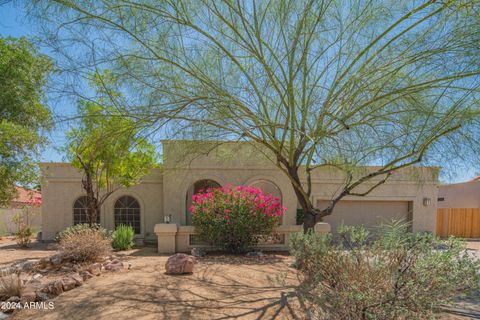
[459, 222]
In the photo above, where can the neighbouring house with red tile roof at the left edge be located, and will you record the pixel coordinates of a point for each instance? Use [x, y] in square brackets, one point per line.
[26, 204]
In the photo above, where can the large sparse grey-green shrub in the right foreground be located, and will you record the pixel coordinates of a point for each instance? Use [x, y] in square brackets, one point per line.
[394, 275]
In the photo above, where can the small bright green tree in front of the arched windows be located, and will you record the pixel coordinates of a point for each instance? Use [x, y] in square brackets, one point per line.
[107, 147]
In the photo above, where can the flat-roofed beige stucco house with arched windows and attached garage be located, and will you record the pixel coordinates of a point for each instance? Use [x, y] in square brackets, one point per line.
[166, 193]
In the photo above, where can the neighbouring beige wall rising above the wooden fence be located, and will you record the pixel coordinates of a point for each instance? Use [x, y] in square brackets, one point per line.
[460, 195]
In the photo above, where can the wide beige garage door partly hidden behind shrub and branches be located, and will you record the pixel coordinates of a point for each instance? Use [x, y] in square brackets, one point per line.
[367, 213]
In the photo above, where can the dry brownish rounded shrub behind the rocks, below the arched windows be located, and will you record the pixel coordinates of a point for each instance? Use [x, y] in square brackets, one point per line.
[83, 244]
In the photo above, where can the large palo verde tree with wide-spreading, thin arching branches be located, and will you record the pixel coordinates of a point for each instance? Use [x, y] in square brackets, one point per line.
[316, 83]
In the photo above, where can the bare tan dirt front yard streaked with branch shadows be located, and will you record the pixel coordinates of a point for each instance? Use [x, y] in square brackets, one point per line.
[223, 287]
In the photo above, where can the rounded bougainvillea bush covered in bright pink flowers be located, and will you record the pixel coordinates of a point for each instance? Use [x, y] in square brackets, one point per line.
[234, 218]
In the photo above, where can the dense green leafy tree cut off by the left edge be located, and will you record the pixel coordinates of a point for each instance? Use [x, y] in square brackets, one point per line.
[24, 116]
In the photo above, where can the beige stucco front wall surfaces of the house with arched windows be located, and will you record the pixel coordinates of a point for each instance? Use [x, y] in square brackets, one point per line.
[164, 192]
